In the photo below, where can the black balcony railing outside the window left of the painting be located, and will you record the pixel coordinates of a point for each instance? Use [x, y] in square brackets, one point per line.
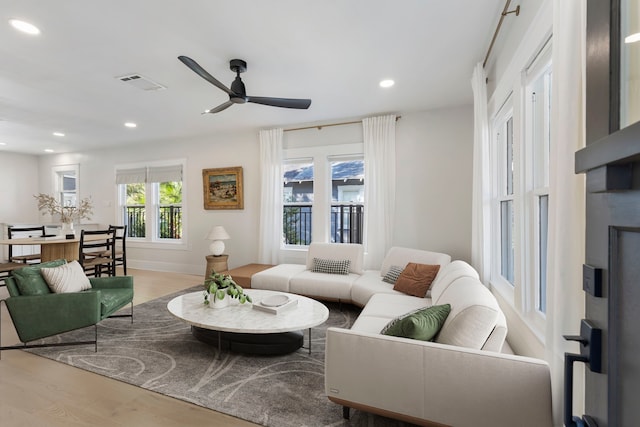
[169, 221]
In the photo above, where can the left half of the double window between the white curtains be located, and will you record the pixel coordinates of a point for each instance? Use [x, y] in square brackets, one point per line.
[298, 202]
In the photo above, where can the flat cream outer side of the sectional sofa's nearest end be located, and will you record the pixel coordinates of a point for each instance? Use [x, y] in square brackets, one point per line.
[424, 382]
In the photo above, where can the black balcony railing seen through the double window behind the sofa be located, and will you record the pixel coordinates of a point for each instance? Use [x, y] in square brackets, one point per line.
[346, 224]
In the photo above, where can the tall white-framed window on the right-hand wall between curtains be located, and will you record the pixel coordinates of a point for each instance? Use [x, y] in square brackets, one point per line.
[521, 140]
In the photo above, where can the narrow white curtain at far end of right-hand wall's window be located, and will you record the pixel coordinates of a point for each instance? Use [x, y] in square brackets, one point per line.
[481, 197]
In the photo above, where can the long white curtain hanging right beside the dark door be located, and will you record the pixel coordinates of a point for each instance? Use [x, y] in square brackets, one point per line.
[565, 298]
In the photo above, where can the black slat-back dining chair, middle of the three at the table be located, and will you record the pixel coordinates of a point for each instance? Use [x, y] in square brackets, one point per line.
[97, 252]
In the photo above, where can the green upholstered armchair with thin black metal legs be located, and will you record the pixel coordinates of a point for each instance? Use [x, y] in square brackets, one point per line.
[37, 313]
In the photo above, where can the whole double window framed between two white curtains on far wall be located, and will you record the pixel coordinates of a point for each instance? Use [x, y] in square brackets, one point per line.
[323, 195]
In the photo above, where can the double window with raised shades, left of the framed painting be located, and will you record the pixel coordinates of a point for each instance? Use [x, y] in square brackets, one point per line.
[150, 202]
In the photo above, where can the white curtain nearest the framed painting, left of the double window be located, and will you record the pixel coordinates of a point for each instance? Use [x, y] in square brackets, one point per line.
[270, 196]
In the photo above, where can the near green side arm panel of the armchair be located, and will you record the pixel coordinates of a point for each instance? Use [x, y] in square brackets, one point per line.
[40, 316]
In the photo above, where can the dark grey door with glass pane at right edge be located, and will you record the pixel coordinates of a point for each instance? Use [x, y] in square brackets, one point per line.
[611, 162]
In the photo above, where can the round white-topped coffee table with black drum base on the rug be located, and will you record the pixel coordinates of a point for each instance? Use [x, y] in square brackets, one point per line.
[242, 328]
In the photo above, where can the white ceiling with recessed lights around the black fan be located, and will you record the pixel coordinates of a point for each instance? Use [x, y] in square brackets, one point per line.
[332, 51]
